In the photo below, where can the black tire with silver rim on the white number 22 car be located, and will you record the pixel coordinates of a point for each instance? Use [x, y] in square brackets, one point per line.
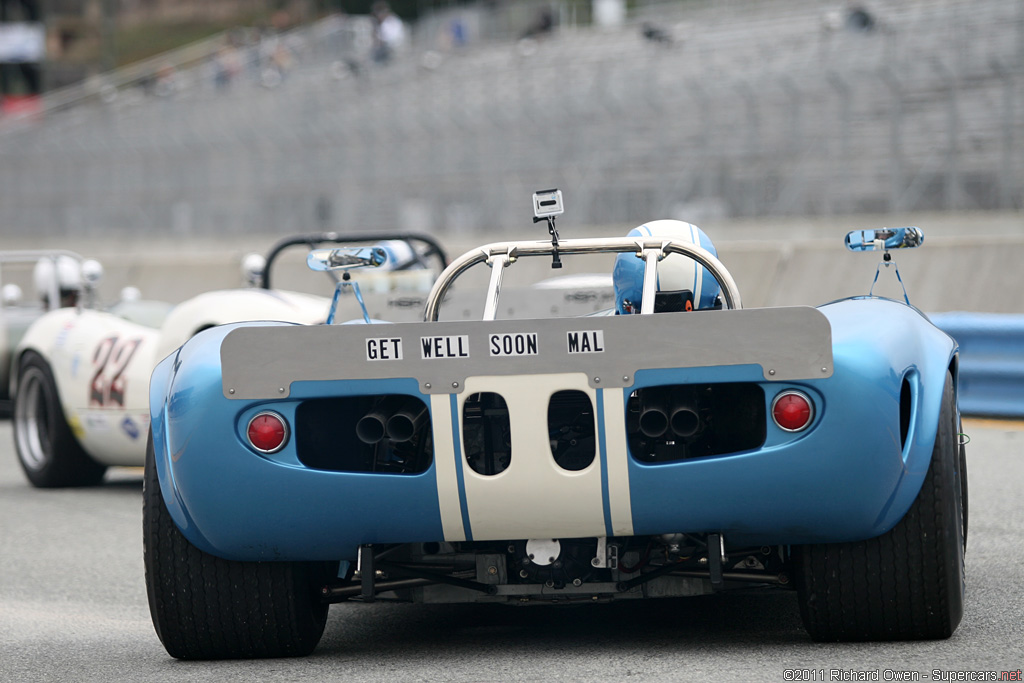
[48, 450]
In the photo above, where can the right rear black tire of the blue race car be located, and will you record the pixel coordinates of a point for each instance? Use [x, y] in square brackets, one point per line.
[908, 584]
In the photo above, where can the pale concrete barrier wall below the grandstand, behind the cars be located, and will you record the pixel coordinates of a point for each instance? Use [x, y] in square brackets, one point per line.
[969, 263]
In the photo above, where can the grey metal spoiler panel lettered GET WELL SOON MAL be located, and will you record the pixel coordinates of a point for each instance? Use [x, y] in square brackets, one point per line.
[789, 344]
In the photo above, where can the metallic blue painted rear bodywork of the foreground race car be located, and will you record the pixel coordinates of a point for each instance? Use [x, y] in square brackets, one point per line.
[847, 478]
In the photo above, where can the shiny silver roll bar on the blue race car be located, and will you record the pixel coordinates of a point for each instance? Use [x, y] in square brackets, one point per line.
[502, 254]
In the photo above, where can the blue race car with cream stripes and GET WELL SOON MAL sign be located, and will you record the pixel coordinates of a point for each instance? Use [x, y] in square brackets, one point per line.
[677, 446]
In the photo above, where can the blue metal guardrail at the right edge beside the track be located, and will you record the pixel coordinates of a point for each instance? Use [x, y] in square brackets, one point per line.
[992, 369]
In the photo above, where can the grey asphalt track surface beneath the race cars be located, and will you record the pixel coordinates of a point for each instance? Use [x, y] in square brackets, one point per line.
[73, 608]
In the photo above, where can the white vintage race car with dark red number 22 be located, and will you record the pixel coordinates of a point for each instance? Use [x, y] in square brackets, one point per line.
[79, 376]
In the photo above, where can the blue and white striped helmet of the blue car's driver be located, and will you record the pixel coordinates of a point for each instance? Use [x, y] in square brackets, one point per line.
[682, 283]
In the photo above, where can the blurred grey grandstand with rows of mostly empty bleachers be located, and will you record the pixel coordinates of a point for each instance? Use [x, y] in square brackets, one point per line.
[753, 109]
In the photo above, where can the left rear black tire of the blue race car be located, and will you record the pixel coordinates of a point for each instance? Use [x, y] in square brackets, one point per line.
[205, 608]
